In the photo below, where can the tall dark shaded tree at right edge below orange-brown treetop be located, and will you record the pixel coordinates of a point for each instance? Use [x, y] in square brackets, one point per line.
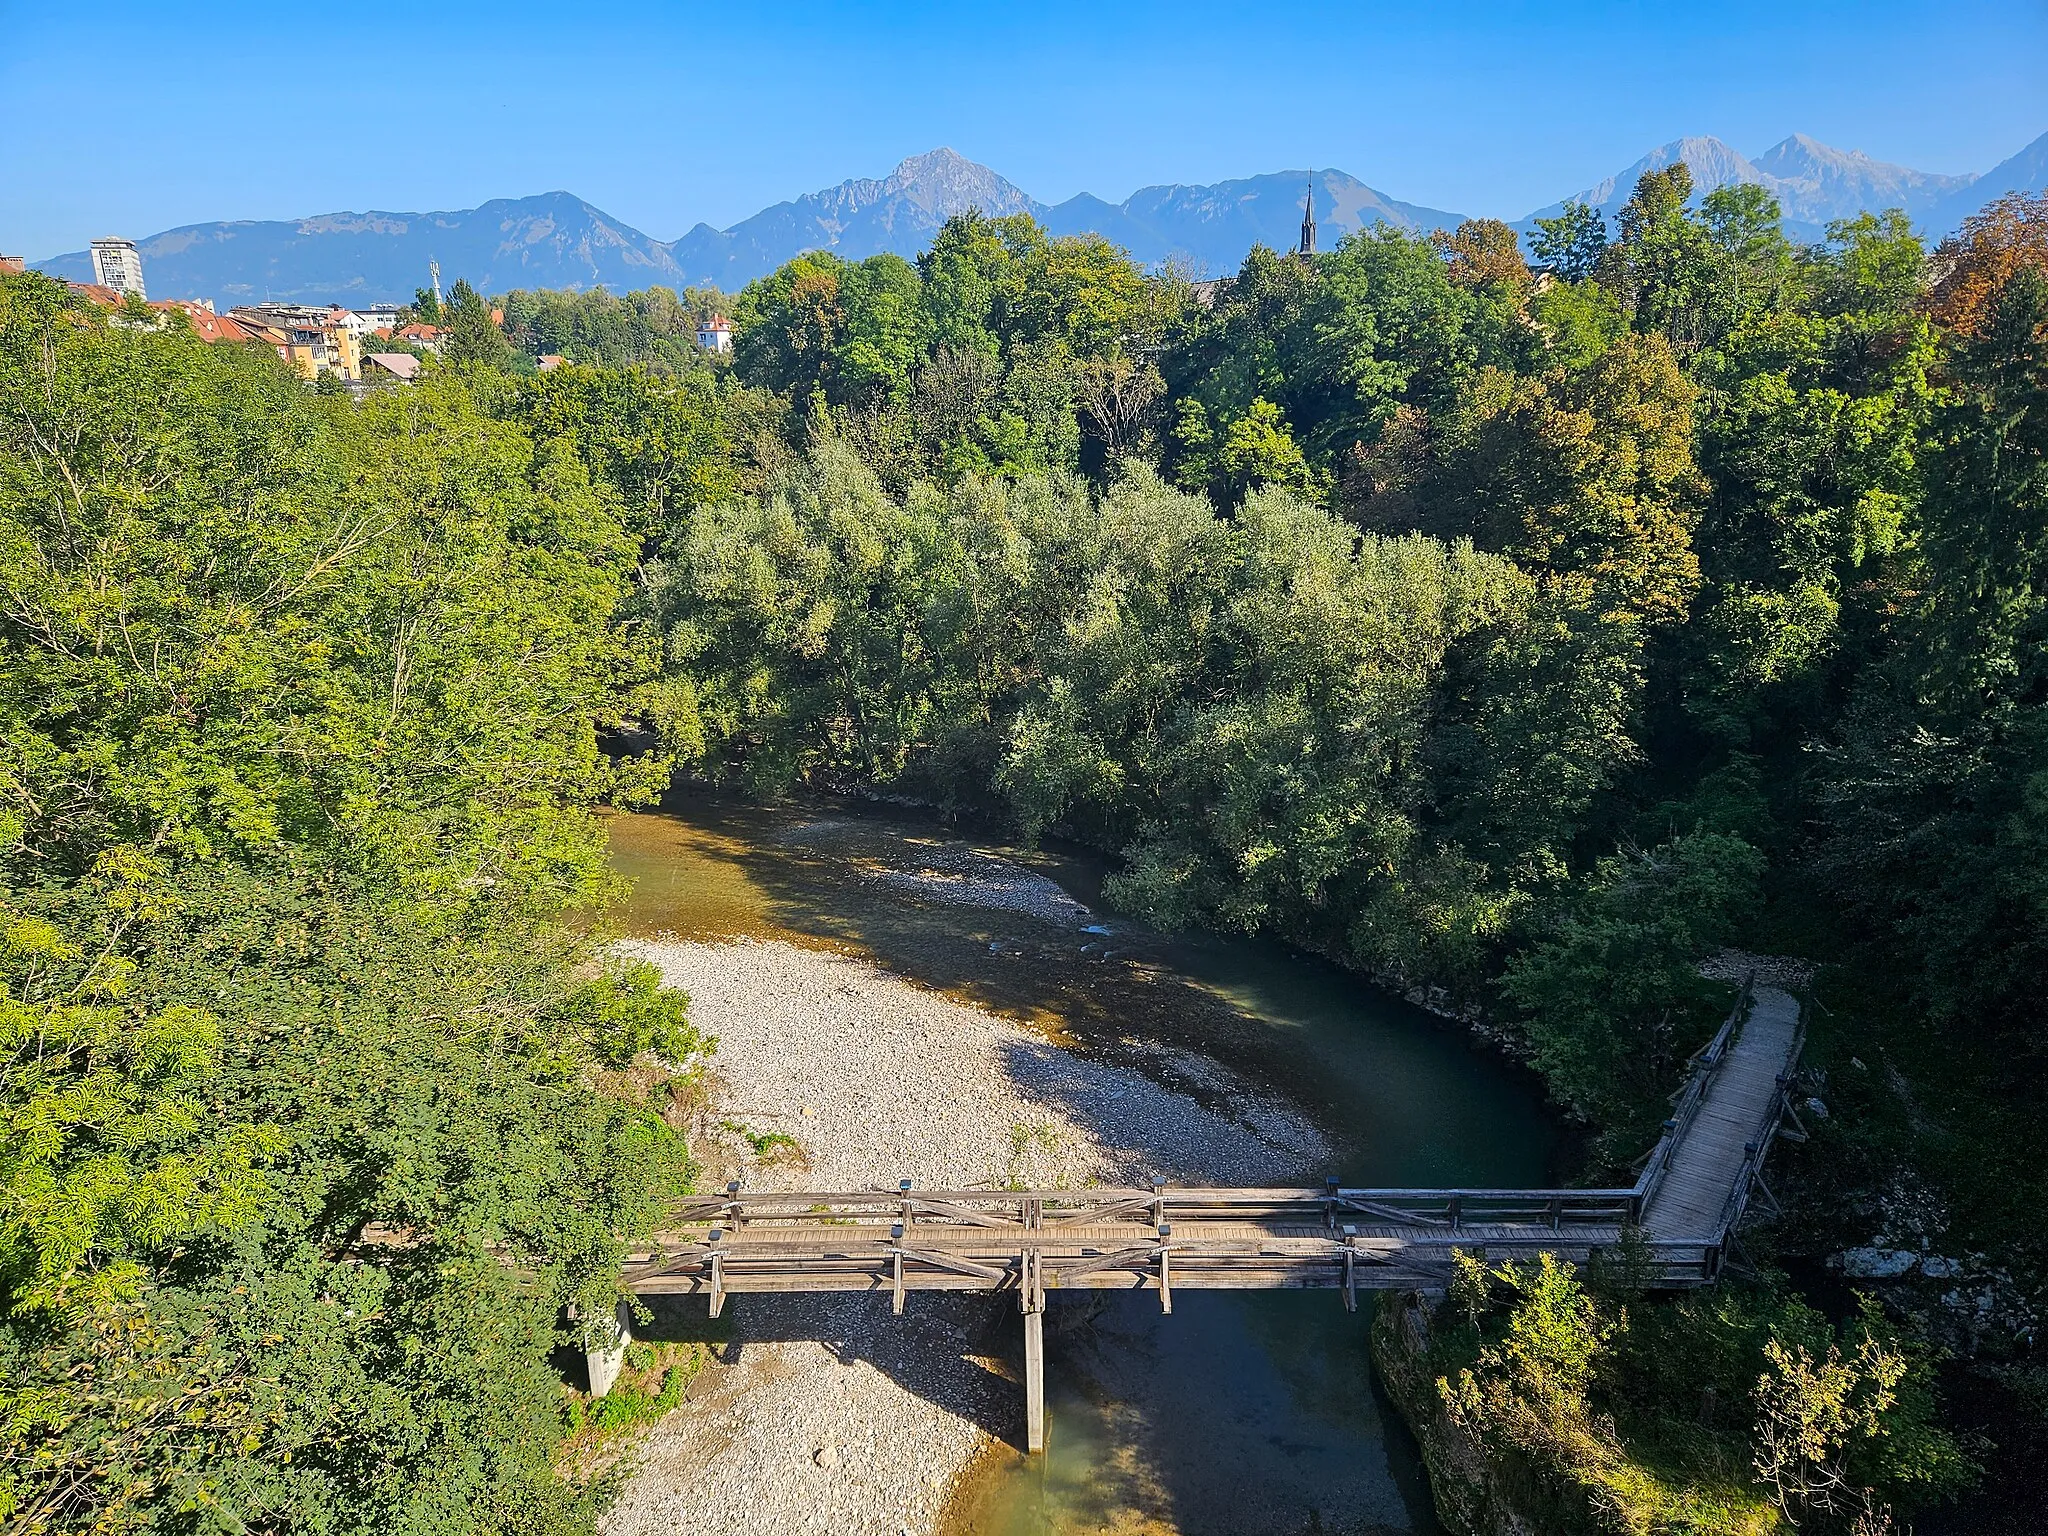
[1938, 794]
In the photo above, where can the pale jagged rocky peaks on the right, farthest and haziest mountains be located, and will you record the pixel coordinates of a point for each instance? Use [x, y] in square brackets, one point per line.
[1811, 181]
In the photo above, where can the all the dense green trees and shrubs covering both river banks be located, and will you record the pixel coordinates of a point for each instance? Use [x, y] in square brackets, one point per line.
[1512, 634]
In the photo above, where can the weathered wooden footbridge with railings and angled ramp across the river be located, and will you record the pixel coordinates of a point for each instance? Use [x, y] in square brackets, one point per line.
[1687, 1207]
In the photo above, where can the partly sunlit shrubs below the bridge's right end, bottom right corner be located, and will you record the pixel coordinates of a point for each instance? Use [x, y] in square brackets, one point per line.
[1738, 1410]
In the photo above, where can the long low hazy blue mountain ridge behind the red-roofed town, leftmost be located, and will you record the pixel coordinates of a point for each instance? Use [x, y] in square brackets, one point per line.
[554, 241]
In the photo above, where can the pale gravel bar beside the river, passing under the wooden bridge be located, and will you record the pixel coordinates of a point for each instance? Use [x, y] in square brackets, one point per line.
[833, 1414]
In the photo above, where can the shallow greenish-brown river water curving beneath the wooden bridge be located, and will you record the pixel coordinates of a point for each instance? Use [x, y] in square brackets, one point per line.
[1242, 1412]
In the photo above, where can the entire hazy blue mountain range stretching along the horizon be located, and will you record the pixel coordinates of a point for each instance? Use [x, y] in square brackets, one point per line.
[556, 241]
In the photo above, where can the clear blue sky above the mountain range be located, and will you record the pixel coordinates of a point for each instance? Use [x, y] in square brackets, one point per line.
[136, 118]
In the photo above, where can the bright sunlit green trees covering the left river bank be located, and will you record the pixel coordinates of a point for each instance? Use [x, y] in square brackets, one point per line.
[302, 1146]
